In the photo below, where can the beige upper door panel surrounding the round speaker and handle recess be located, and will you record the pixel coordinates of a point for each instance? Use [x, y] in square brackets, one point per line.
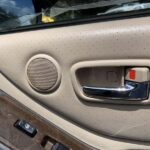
[113, 40]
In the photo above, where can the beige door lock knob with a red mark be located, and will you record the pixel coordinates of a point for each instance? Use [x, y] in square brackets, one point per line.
[138, 74]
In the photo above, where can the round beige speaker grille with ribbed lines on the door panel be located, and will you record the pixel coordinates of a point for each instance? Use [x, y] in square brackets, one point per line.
[42, 74]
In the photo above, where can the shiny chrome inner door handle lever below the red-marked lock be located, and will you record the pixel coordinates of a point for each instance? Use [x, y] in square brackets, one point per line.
[131, 91]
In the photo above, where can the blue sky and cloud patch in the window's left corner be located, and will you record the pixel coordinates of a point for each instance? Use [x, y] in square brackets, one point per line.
[15, 13]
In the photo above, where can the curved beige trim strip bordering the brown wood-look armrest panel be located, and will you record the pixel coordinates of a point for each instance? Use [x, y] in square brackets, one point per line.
[96, 141]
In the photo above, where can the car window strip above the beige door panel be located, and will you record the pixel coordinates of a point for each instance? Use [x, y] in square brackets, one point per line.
[20, 13]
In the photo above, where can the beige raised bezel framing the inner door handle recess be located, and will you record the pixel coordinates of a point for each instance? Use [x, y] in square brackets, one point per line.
[78, 86]
